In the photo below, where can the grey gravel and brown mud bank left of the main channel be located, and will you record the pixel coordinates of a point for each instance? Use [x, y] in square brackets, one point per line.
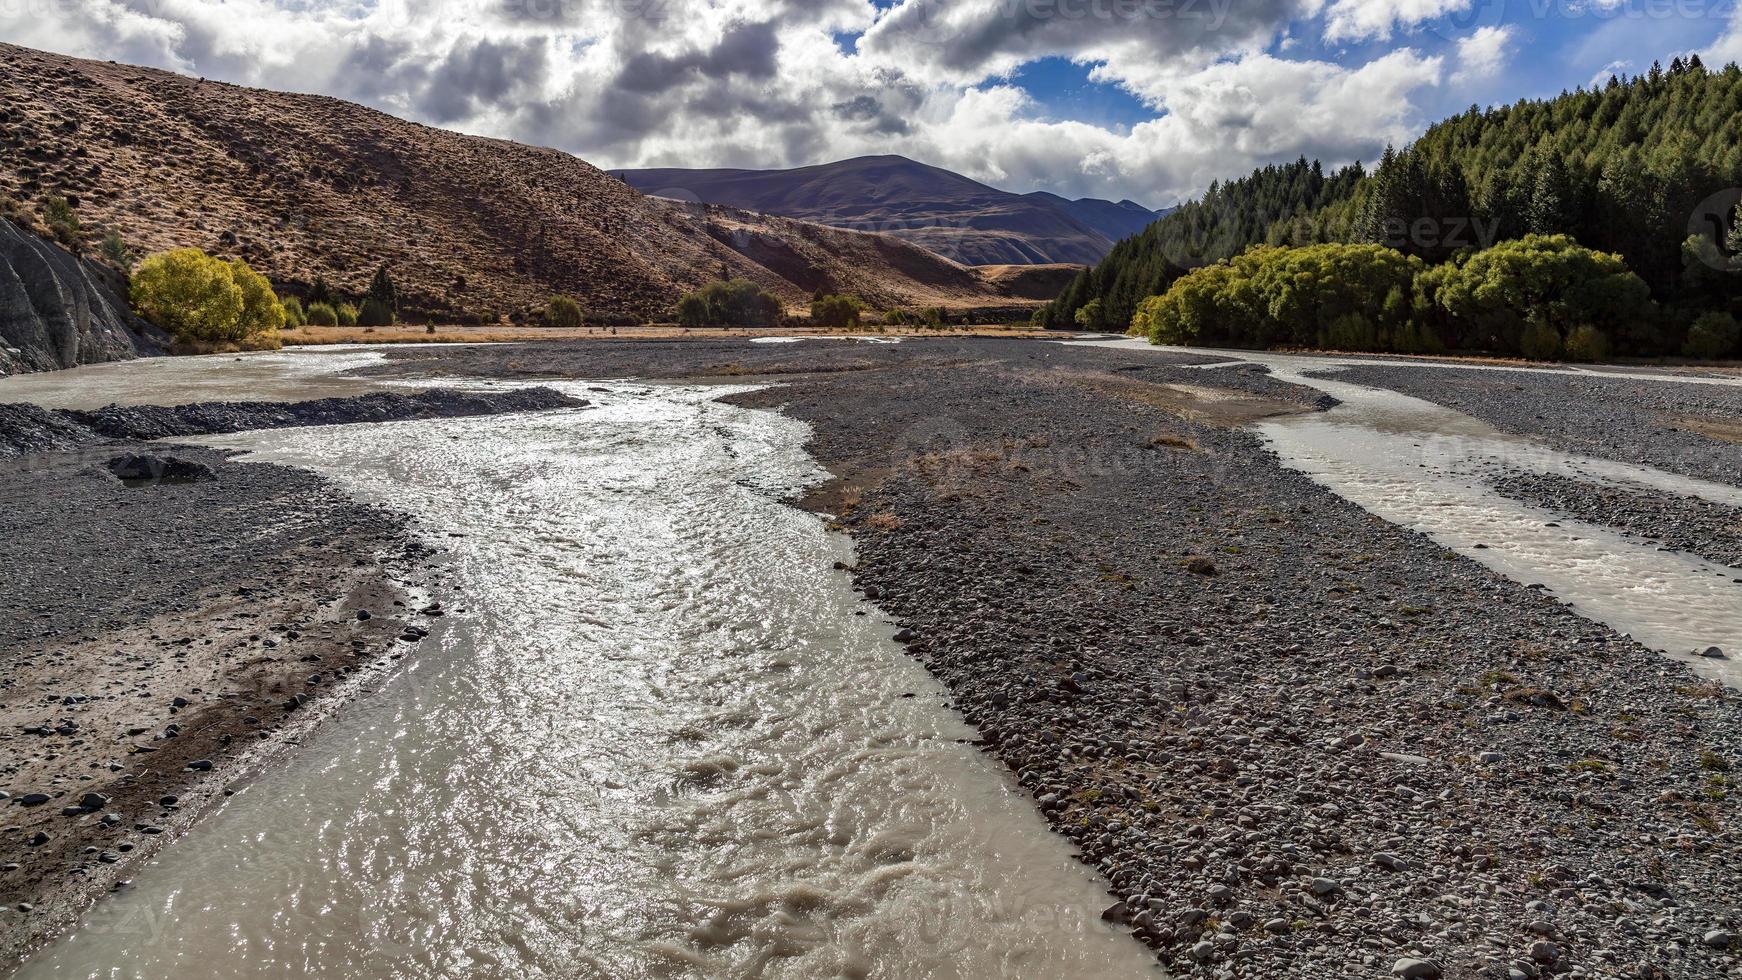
[179, 621]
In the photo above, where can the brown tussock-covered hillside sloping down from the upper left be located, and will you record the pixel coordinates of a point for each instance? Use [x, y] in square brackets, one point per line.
[306, 185]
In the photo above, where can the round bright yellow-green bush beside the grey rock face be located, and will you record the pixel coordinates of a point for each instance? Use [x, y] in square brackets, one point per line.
[208, 300]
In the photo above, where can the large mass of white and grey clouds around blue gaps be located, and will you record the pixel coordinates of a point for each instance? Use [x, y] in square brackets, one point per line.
[764, 84]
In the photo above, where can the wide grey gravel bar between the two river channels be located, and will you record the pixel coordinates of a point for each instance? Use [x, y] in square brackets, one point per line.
[1299, 741]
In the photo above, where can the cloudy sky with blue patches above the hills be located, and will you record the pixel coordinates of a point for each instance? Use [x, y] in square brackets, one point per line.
[1144, 100]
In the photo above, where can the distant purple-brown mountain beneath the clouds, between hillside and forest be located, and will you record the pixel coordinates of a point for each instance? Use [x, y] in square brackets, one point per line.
[943, 211]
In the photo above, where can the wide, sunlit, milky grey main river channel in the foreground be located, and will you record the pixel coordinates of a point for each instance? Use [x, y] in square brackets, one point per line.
[663, 739]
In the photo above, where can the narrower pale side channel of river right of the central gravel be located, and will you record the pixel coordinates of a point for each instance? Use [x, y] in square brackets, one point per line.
[1424, 467]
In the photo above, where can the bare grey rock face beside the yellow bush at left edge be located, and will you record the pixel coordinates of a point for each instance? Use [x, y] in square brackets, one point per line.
[58, 311]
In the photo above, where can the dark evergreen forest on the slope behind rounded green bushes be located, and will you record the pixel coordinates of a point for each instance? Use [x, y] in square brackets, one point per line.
[1645, 170]
